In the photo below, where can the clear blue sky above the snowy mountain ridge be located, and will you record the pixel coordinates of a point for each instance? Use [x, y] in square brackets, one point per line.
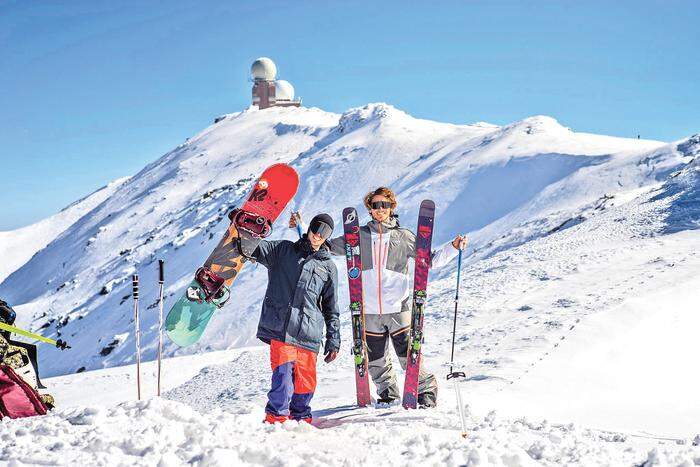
[93, 90]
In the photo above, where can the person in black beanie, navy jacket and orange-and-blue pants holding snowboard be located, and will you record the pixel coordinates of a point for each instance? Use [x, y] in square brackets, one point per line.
[301, 298]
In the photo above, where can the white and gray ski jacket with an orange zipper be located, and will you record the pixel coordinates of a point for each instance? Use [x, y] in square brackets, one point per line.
[385, 250]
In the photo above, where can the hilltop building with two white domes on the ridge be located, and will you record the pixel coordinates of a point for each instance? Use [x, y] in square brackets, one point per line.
[268, 91]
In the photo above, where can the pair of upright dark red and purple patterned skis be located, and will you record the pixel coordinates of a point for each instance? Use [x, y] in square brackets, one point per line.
[351, 227]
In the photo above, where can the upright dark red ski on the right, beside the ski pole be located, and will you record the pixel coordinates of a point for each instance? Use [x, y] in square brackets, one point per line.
[424, 238]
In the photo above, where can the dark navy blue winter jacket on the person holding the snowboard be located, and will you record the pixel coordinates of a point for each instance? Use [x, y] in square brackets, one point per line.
[301, 296]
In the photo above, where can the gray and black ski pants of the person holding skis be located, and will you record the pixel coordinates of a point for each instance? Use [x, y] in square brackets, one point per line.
[379, 330]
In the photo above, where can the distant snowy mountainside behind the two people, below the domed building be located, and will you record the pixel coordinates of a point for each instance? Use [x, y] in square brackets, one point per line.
[507, 185]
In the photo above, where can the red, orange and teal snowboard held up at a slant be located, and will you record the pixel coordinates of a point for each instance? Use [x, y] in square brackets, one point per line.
[190, 315]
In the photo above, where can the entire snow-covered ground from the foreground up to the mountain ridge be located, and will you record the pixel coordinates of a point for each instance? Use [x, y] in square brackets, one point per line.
[576, 321]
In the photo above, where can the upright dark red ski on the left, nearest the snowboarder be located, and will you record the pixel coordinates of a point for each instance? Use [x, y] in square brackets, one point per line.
[351, 228]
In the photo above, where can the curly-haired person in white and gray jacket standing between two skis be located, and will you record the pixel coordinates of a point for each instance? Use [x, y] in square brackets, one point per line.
[387, 285]
